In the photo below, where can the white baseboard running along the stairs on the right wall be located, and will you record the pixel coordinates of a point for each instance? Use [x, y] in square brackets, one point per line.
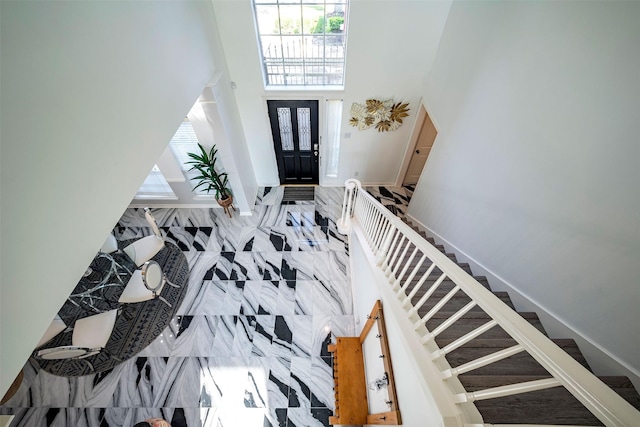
[601, 361]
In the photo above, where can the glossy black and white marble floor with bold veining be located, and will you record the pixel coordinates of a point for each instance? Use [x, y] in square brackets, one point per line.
[267, 293]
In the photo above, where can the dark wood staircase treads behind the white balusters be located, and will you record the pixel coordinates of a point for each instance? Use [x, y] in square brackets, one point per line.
[551, 406]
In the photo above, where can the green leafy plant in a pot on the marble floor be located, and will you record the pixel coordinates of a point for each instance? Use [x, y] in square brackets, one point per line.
[205, 163]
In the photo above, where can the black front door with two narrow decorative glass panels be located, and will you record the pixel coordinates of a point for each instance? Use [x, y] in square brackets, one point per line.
[294, 125]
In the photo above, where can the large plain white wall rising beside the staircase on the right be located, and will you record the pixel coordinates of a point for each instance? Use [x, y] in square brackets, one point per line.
[534, 172]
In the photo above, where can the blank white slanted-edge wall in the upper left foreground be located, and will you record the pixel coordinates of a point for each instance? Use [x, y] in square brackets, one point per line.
[91, 94]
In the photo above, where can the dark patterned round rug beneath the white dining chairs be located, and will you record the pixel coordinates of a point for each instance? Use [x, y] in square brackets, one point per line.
[137, 325]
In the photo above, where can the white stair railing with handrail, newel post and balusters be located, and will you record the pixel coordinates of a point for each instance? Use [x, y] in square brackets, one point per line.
[391, 242]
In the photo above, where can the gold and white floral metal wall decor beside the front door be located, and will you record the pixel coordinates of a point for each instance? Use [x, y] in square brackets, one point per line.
[385, 115]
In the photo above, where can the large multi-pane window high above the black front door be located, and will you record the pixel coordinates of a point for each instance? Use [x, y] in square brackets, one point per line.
[303, 42]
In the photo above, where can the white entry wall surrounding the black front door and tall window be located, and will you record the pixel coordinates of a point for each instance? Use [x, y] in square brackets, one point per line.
[391, 45]
